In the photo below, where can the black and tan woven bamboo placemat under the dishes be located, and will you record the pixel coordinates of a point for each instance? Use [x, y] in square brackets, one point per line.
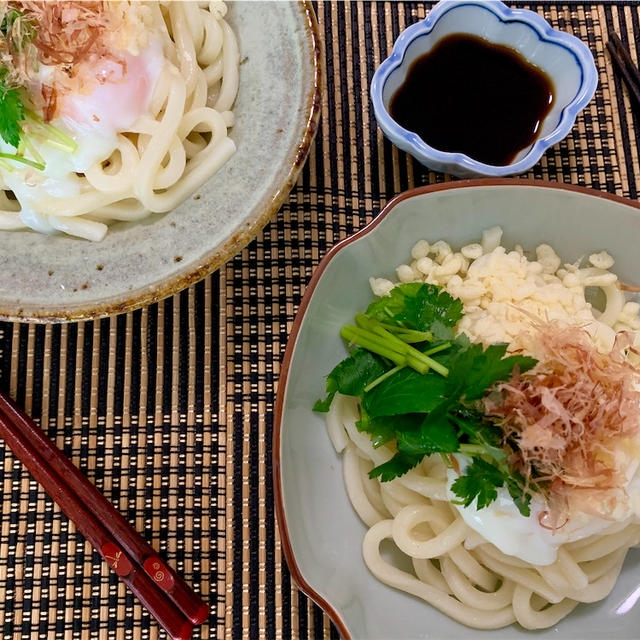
[169, 409]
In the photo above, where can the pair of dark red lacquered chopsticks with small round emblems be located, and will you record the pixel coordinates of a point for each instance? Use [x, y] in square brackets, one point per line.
[167, 597]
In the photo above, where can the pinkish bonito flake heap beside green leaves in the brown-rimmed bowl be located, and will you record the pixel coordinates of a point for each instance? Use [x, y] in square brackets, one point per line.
[573, 416]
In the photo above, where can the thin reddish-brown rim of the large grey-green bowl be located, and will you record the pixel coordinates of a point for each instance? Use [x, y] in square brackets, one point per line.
[276, 441]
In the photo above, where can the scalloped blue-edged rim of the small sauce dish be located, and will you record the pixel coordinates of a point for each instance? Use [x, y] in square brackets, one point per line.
[412, 143]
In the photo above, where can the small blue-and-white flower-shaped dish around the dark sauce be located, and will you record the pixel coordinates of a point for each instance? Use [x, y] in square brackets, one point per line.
[565, 59]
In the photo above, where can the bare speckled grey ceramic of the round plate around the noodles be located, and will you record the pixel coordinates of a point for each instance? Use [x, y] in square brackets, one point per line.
[50, 278]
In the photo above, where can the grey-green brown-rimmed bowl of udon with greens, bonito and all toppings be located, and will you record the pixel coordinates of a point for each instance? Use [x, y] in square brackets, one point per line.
[457, 427]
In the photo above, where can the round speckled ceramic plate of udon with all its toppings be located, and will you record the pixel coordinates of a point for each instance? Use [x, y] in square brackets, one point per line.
[142, 144]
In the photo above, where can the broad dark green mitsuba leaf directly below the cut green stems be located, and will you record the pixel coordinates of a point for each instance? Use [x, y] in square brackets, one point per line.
[406, 391]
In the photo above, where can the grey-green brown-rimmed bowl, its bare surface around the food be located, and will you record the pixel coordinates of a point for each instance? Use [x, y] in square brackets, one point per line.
[321, 534]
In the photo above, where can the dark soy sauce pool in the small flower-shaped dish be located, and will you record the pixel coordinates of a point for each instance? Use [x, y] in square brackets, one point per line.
[471, 96]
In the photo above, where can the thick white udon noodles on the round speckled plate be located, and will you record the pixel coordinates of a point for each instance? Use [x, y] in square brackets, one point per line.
[167, 153]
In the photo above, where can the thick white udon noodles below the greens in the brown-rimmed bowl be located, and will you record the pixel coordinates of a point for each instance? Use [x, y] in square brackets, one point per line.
[454, 568]
